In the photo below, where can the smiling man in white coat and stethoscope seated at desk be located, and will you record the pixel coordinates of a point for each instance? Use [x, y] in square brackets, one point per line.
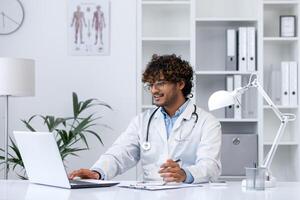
[177, 141]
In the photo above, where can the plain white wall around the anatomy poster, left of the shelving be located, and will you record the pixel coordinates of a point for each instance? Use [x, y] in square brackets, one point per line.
[112, 78]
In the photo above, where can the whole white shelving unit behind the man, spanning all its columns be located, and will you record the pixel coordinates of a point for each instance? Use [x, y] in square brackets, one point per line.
[196, 30]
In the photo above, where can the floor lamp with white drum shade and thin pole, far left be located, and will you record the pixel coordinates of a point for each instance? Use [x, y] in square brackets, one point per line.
[17, 78]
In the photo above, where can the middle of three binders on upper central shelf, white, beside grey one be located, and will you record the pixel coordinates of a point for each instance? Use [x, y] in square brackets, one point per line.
[242, 49]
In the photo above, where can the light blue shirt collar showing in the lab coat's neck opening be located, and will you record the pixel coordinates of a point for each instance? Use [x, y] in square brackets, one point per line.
[170, 121]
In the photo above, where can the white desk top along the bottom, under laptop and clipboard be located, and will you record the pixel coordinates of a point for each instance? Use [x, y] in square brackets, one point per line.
[18, 190]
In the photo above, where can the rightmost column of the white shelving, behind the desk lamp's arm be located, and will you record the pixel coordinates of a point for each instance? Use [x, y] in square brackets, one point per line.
[285, 165]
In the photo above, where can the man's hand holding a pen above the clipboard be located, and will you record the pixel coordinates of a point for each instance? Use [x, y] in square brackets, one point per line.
[171, 172]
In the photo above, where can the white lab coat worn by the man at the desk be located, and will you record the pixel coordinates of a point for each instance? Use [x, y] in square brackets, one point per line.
[197, 145]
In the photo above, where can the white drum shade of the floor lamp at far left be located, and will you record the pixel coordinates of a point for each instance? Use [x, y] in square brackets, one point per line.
[17, 77]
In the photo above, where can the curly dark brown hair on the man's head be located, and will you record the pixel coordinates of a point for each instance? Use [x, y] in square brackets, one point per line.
[172, 68]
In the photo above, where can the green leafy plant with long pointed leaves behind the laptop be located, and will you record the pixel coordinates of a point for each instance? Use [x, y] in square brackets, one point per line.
[68, 132]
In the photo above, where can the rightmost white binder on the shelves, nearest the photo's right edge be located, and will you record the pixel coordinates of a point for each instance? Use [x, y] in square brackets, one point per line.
[293, 83]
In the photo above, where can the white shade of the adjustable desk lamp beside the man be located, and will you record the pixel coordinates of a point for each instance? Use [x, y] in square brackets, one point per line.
[221, 99]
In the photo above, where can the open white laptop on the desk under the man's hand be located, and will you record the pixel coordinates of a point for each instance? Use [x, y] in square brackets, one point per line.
[43, 162]
